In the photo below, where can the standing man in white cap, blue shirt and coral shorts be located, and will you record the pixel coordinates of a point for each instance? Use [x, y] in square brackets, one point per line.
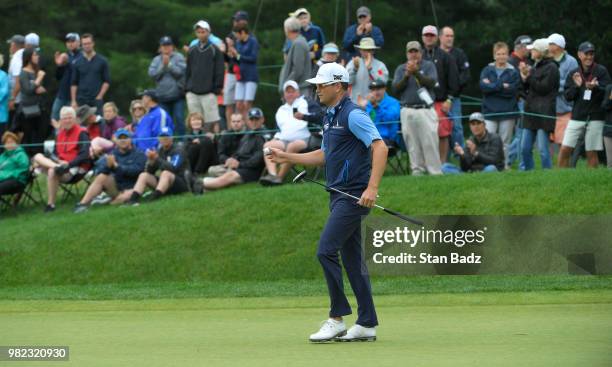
[566, 64]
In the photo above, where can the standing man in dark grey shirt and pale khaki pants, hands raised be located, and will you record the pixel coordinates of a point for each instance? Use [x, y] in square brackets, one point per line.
[414, 82]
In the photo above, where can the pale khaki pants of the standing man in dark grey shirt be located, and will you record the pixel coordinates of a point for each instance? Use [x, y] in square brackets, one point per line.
[420, 132]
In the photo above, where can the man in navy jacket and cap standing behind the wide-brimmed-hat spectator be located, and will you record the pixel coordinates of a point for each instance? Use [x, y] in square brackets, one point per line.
[363, 28]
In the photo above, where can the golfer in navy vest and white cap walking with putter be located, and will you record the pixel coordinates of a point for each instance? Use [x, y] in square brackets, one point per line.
[354, 156]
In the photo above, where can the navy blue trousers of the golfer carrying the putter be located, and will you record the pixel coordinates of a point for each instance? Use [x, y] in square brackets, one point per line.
[342, 233]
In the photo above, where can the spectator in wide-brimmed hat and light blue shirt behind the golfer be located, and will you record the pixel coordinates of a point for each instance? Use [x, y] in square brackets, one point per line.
[364, 69]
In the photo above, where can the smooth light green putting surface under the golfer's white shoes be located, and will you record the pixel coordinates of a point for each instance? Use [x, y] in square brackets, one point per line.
[481, 329]
